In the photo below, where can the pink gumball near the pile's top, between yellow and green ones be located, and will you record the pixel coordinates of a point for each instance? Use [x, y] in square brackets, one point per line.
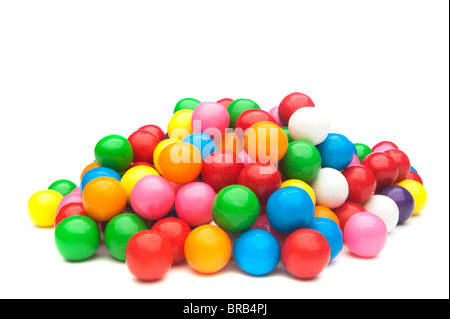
[210, 118]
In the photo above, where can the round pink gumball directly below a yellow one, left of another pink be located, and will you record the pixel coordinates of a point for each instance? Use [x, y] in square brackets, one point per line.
[152, 197]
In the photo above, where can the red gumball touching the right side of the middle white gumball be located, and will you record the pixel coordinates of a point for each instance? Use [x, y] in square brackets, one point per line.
[361, 183]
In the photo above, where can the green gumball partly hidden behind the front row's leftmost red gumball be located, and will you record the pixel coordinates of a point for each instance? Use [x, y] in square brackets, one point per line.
[118, 232]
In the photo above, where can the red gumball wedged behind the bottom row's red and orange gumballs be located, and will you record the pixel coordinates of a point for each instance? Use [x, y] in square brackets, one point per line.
[177, 231]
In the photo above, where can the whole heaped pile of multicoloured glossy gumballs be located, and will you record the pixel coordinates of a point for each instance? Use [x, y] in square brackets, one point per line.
[230, 180]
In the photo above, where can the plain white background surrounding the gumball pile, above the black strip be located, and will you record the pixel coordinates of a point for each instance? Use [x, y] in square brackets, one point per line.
[72, 72]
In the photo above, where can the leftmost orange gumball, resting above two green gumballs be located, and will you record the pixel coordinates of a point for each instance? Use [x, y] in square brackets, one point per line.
[104, 198]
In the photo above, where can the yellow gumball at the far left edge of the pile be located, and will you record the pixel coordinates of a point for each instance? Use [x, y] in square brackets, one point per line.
[42, 207]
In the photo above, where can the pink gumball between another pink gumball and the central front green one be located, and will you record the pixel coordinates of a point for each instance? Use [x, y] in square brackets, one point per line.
[193, 203]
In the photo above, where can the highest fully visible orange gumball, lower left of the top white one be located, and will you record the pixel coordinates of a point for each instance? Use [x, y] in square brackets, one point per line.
[265, 142]
